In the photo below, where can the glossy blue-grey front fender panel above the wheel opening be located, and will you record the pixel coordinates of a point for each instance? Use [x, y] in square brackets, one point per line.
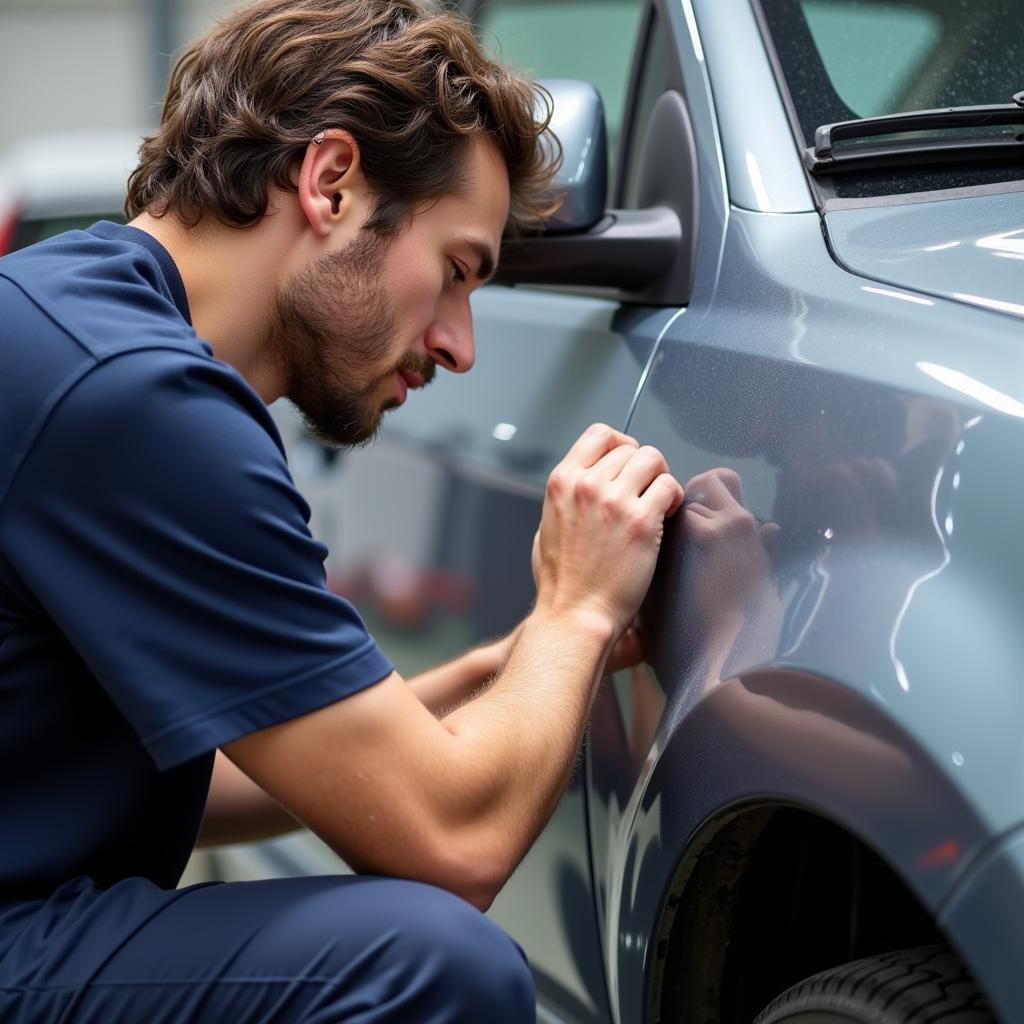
[924, 721]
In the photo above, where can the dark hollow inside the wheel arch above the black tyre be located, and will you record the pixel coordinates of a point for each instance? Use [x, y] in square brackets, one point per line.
[728, 944]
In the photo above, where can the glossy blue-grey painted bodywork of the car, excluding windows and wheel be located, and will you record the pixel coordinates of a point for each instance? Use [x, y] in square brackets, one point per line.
[875, 675]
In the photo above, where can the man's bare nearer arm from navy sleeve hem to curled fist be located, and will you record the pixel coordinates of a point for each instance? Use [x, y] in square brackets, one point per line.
[457, 802]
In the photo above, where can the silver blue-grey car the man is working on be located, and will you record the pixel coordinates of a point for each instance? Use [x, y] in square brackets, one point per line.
[809, 804]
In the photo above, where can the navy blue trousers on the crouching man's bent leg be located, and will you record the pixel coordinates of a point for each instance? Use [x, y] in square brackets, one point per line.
[320, 951]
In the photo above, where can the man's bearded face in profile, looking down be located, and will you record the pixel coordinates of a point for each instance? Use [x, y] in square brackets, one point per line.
[361, 326]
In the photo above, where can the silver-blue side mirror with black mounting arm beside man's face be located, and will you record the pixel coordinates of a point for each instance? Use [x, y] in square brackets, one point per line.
[634, 252]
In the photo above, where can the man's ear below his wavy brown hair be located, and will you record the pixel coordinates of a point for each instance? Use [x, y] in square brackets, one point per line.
[331, 184]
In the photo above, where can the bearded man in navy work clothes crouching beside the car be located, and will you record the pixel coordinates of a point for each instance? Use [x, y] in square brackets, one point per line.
[331, 181]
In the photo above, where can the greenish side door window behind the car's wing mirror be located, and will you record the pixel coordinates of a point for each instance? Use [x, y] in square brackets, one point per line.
[585, 39]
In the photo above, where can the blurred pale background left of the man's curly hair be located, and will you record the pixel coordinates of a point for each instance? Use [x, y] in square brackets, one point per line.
[82, 81]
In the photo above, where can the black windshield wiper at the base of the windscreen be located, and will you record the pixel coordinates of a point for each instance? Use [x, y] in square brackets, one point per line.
[826, 158]
